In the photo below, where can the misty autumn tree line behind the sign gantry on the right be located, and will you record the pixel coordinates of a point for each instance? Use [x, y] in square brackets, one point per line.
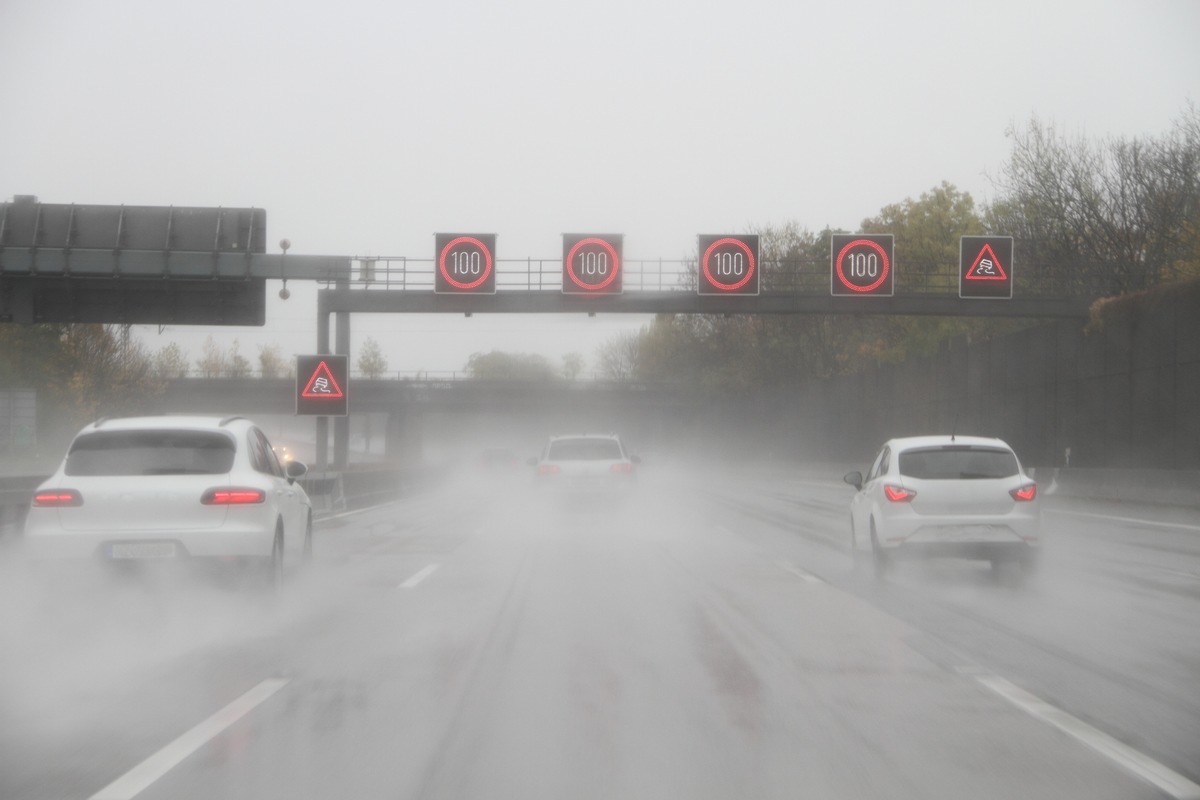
[1101, 219]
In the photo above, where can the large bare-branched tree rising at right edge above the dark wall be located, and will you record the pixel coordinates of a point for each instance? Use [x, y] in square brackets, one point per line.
[1113, 216]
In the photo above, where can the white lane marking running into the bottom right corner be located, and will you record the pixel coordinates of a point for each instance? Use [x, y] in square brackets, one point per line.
[1126, 757]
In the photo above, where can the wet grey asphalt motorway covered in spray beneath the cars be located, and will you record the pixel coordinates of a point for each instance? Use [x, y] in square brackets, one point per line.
[706, 639]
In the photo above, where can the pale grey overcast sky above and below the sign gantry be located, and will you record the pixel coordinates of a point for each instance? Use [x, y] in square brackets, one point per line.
[365, 128]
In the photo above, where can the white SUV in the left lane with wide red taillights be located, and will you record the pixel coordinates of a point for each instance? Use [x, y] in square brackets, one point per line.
[173, 489]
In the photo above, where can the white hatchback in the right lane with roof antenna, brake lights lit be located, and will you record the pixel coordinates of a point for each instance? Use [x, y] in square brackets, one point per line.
[962, 497]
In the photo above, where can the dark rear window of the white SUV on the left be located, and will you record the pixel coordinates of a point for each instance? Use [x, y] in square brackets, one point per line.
[151, 453]
